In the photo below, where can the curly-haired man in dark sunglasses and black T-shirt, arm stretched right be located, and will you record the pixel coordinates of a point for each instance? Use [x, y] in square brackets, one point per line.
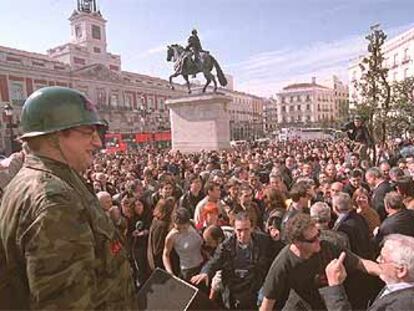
[299, 270]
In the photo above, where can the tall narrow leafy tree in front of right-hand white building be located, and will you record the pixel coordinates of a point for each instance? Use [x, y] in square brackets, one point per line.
[373, 88]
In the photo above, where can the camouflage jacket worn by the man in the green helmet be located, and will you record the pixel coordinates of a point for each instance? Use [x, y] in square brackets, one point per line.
[58, 249]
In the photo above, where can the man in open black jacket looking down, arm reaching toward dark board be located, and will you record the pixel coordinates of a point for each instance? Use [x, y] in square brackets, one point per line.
[244, 261]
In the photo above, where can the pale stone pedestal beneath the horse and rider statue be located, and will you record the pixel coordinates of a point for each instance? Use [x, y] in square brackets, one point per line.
[200, 122]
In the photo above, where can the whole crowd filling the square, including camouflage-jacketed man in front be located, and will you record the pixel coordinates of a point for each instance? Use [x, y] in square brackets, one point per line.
[299, 225]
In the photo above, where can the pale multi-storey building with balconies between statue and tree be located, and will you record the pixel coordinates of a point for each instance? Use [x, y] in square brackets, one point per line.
[312, 104]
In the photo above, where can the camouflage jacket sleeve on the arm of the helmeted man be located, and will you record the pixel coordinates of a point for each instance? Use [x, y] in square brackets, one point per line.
[59, 252]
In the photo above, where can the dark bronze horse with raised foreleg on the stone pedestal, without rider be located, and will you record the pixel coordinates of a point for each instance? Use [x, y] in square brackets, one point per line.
[185, 66]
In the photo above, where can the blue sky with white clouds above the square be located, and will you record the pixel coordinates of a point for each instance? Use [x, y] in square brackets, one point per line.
[264, 44]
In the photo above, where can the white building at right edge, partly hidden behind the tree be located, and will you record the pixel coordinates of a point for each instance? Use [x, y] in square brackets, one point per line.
[398, 58]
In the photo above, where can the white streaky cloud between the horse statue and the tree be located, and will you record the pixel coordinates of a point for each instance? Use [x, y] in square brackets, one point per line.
[268, 72]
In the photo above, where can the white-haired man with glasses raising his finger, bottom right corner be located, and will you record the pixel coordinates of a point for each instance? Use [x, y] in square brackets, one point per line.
[396, 263]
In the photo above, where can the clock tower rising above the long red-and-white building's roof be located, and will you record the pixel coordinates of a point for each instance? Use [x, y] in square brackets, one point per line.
[88, 27]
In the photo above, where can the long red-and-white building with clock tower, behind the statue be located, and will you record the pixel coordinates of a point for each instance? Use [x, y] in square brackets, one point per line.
[131, 102]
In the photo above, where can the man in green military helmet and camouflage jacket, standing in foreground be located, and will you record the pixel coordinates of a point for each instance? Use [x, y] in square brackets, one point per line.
[58, 249]
